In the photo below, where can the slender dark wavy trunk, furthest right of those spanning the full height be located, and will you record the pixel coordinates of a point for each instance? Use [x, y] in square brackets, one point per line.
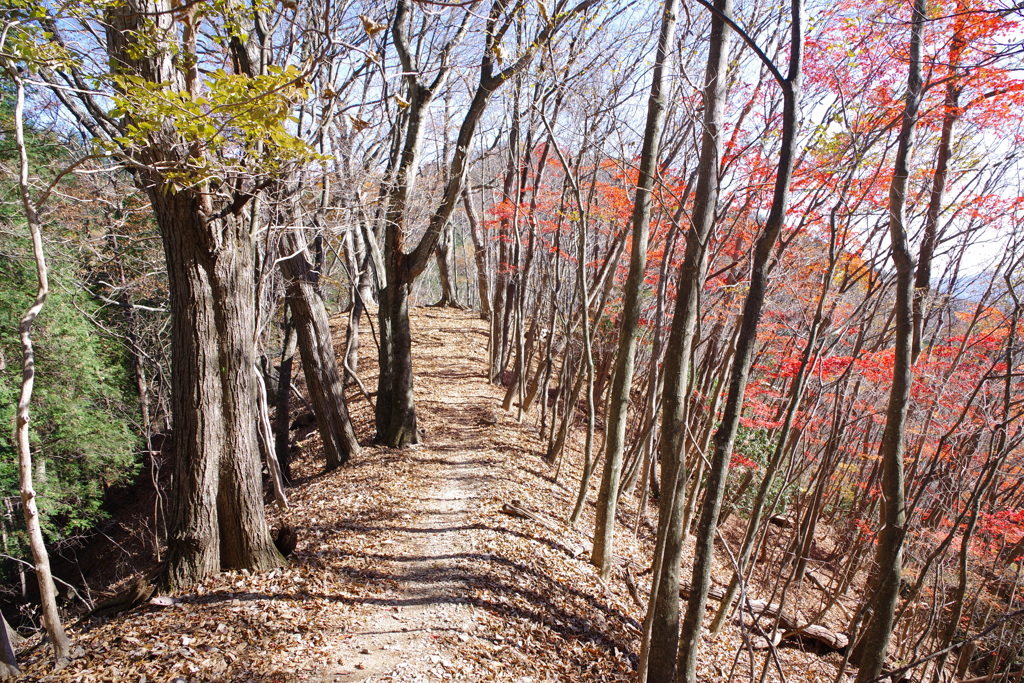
[889, 557]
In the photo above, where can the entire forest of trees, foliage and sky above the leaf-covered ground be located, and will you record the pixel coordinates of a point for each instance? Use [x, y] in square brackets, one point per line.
[765, 260]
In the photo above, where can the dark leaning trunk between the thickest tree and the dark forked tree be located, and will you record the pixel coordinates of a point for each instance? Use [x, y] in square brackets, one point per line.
[320, 365]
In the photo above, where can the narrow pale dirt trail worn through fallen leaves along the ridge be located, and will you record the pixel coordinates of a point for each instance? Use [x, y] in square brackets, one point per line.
[432, 556]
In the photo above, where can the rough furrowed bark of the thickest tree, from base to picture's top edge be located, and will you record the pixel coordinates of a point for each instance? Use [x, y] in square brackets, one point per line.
[218, 506]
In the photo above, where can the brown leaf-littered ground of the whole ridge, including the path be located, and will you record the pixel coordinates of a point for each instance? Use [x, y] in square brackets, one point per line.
[407, 569]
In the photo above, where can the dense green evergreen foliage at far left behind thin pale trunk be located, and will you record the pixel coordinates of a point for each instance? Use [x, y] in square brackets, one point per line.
[81, 430]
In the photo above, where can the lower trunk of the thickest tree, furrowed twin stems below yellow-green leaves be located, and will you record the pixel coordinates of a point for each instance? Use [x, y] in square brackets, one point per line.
[218, 507]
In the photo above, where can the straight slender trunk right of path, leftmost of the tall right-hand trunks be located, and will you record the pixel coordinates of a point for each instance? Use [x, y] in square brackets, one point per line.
[629, 327]
